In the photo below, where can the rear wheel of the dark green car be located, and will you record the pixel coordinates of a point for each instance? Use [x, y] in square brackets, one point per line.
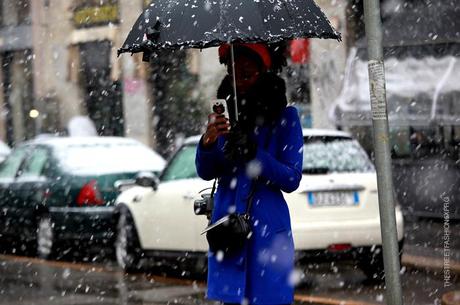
[45, 241]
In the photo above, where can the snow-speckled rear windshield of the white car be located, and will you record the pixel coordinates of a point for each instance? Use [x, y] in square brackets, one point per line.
[334, 155]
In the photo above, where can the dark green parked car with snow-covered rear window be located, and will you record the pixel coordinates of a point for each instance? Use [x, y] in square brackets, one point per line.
[62, 189]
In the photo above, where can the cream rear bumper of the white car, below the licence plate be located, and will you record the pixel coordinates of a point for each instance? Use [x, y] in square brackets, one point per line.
[356, 232]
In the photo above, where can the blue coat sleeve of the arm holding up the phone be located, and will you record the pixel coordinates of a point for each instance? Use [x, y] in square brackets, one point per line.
[209, 161]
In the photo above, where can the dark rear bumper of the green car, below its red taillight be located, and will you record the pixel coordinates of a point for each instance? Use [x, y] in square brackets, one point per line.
[84, 224]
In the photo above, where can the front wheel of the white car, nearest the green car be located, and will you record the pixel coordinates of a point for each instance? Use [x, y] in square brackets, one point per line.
[127, 248]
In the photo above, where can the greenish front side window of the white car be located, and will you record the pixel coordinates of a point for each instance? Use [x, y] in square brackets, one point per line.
[182, 166]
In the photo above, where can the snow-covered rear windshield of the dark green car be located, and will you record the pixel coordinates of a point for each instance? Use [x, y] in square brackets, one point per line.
[106, 158]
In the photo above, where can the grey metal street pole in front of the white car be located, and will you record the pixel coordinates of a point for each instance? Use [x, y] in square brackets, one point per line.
[373, 26]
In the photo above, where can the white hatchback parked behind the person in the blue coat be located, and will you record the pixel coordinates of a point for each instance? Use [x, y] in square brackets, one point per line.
[333, 212]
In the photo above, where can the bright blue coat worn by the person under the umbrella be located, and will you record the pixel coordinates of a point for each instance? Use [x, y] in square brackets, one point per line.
[262, 272]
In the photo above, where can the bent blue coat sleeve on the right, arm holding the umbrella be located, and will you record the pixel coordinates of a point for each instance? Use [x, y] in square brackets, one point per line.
[285, 171]
